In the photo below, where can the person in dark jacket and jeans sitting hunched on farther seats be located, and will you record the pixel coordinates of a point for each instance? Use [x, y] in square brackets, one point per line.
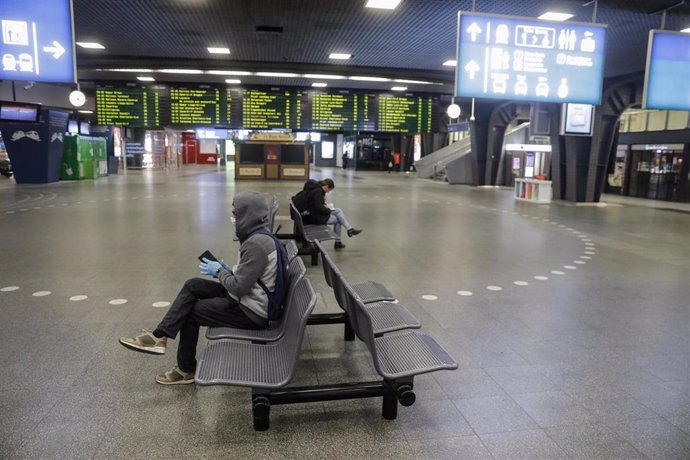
[311, 203]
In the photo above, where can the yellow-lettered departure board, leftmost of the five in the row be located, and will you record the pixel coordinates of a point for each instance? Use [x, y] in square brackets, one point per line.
[125, 106]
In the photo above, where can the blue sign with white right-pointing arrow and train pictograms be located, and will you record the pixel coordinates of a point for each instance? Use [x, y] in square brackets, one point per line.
[37, 41]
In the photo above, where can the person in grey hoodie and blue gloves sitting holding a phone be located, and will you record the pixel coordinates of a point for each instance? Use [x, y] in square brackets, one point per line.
[235, 300]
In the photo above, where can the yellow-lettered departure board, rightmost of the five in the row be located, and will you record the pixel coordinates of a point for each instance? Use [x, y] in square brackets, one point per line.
[406, 114]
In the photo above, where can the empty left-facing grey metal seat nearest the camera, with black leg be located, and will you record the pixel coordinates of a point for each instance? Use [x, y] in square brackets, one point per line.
[262, 367]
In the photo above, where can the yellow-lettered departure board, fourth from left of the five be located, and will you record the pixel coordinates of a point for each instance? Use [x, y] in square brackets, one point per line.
[340, 112]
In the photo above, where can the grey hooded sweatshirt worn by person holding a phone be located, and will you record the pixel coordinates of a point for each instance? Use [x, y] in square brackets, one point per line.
[258, 258]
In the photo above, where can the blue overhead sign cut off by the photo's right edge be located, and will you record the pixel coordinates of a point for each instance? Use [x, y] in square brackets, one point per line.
[667, 77]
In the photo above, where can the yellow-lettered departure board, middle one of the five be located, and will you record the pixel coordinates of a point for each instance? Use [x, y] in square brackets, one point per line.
[269, 109]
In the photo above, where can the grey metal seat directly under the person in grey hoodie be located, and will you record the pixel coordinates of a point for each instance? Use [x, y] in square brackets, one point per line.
[276, 329]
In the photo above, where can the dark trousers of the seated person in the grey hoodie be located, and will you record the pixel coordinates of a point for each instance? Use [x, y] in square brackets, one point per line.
[201, 302]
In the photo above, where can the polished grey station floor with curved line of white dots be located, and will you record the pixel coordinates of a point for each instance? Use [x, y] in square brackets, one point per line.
[570, 324]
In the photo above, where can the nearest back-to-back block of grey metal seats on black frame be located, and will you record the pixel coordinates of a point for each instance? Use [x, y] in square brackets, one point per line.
[265, 360]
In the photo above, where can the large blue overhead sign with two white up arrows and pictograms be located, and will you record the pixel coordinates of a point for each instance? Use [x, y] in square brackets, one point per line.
[507, 57]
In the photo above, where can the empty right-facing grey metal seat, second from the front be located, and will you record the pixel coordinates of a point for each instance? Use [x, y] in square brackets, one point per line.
[387, 316]
